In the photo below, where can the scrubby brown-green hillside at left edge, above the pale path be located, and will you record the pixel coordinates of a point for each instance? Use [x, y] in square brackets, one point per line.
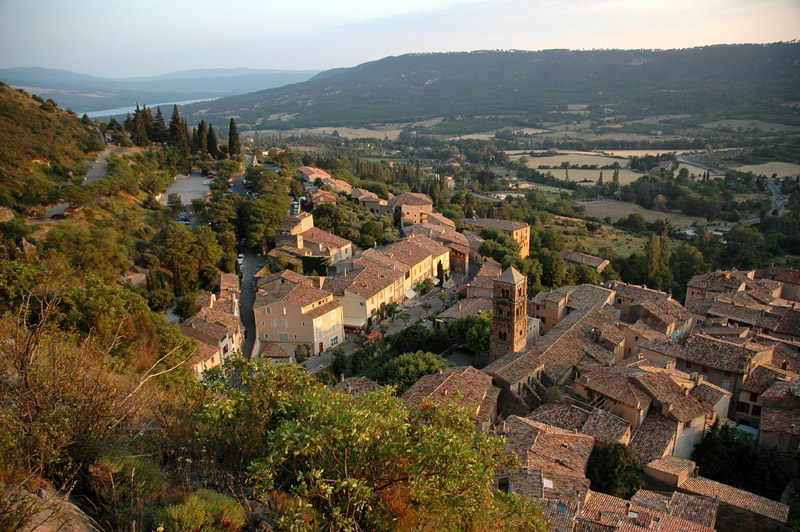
[39, 146]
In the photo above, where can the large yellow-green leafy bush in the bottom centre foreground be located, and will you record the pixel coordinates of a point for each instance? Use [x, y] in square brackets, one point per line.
[357, 462]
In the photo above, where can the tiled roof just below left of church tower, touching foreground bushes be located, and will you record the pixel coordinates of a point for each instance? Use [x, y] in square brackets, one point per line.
[463, 386]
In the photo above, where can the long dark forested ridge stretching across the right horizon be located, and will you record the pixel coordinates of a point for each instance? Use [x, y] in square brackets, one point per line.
[529, 84]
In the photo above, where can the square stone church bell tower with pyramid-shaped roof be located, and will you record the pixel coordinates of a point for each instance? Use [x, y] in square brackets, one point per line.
[509, 314]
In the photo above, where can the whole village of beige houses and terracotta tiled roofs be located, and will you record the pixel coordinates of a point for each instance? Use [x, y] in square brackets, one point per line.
[567, 371]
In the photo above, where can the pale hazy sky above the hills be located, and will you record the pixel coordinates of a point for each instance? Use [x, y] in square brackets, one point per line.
[147, 37]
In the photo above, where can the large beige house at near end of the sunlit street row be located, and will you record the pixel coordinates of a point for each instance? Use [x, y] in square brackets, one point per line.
[301, 313]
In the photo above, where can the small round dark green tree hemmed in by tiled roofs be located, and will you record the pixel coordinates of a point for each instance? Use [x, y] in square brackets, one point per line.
[613, 469]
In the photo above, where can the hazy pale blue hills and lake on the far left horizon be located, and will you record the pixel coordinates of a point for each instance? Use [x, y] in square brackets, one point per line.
[84, 93]
